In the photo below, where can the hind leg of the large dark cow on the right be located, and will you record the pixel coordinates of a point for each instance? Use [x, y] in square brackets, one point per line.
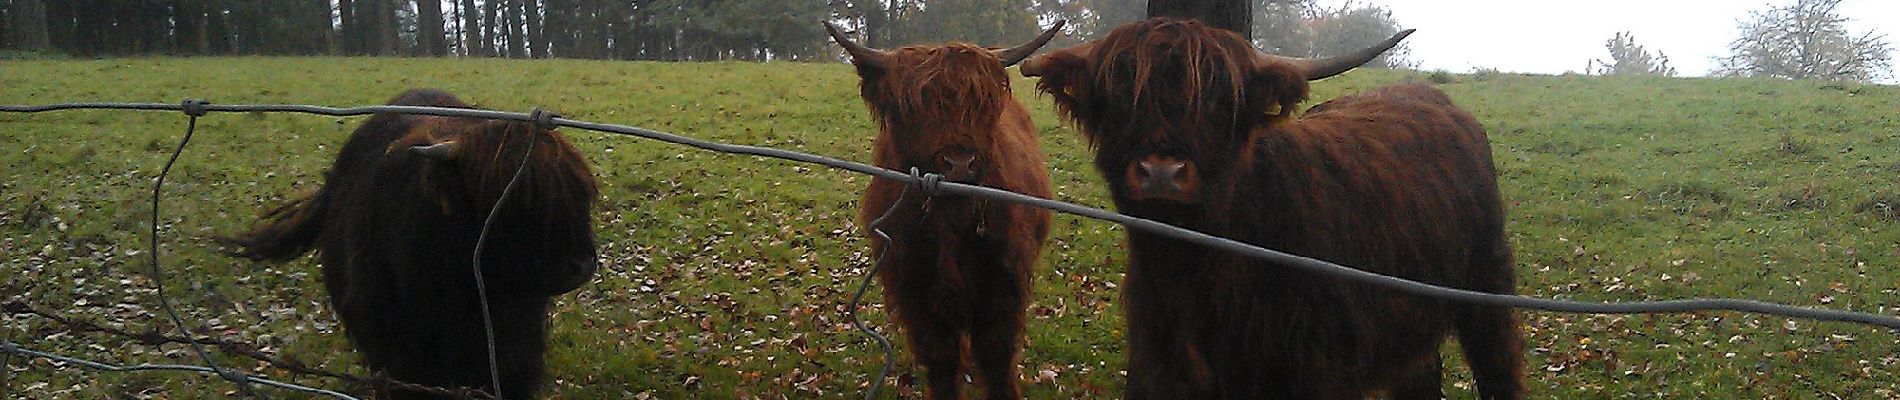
[1492, 348]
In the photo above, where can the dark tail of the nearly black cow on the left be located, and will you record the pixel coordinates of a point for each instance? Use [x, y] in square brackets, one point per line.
[286, 232]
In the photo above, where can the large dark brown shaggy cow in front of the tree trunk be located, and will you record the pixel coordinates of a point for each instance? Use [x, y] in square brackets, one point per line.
[1192, 128]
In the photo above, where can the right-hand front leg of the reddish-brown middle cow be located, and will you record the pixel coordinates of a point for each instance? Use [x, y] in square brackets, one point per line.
[997, 340]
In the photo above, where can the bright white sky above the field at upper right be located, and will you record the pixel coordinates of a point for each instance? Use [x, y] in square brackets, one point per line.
[1563, 37]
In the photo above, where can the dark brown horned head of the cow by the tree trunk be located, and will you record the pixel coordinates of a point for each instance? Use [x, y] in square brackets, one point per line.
[1173, 105]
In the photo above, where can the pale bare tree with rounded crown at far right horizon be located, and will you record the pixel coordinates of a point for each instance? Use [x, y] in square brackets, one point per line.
[1806, 41]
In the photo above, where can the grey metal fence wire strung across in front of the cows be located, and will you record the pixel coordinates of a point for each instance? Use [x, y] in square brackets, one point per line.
[932, 185]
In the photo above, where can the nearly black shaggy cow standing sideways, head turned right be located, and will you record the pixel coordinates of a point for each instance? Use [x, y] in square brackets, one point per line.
[396, 227]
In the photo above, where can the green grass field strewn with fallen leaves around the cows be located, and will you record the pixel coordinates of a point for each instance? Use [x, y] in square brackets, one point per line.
[727, 276]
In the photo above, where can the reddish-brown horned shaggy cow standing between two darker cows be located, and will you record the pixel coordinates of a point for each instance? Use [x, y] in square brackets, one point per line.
[960, 268]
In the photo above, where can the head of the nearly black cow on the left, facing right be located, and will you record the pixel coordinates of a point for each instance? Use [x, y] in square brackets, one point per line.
[542, 240]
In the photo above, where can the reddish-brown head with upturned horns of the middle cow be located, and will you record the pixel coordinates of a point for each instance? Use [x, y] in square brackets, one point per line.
[938, 105]
